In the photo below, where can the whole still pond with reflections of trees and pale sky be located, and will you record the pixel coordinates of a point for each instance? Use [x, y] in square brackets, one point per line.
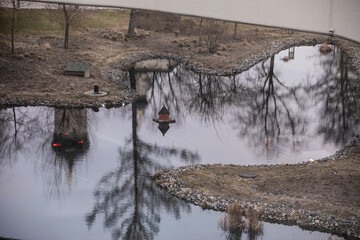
[84, 174]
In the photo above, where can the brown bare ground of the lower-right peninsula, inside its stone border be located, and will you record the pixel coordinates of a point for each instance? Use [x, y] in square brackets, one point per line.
[331, 188]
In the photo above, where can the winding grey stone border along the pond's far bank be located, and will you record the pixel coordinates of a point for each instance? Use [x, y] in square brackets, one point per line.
[118, 73]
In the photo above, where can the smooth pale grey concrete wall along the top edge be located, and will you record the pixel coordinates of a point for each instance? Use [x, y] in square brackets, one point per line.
[308, 15]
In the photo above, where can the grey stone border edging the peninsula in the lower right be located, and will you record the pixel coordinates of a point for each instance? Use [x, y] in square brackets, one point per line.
[283, 213]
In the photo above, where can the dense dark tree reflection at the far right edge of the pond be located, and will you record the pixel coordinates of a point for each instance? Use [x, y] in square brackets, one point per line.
[338, 92]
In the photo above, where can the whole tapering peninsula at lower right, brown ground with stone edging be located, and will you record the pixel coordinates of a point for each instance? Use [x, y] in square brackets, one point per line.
[289, 200]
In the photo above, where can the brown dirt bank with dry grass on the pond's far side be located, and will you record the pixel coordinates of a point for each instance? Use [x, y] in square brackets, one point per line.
[36, 69]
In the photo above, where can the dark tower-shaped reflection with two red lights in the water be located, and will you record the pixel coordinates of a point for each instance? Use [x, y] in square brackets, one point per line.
[70, 139]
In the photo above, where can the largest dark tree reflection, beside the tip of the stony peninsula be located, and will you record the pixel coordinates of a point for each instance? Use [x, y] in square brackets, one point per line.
[128, 197]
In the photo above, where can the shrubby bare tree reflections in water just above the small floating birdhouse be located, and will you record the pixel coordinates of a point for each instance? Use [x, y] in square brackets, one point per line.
[202, 96]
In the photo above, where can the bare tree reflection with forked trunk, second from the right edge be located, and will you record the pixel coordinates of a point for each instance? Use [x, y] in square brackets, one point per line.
[268, 117]
